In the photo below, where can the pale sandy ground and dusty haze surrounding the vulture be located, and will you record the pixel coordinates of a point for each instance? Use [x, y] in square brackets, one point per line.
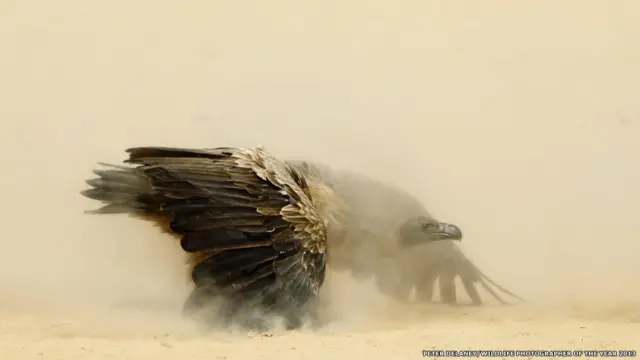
[519, 121]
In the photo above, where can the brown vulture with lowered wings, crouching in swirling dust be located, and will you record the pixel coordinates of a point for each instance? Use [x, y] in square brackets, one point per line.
[260, 232]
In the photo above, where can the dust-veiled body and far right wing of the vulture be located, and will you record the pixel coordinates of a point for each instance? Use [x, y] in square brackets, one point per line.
[372, 241]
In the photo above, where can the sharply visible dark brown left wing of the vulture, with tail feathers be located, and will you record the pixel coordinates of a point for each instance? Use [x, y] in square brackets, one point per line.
[249, 220]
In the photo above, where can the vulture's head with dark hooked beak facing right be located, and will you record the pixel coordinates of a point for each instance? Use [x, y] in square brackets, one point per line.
[422, 229]
